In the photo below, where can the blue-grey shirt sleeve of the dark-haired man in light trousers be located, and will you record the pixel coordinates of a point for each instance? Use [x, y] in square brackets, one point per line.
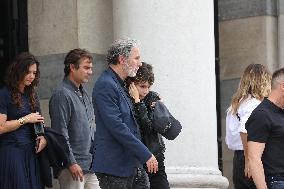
[60, 114]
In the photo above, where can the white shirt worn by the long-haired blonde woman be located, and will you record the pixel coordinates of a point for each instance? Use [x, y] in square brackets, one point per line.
[234, 126]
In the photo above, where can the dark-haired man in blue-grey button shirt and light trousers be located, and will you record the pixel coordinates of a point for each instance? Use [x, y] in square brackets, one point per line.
[72, 115]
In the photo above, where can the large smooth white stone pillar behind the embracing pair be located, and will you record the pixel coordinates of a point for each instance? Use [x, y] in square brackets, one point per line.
[177, 38]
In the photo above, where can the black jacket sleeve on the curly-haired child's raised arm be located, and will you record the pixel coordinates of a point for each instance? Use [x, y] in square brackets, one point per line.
[141, 115]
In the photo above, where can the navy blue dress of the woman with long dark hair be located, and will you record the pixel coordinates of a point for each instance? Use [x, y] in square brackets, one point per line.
[19, 168]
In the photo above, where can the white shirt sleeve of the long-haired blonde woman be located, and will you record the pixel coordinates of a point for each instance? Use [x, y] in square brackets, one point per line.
[245, 114]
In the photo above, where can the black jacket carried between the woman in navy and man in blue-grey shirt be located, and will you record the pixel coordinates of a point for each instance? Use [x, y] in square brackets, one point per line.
[55, 155]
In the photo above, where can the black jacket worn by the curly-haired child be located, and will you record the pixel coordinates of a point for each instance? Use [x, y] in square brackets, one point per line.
[143, 112]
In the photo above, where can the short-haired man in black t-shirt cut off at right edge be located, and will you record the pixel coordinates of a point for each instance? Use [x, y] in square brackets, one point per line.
[265, 129]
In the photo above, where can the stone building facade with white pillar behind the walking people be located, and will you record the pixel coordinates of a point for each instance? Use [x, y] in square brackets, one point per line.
[177, 38]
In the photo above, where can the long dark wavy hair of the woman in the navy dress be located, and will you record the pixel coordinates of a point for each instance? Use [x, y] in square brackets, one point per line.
[16, 73]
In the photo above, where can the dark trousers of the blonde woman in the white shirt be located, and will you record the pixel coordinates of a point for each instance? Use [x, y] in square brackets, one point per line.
[239, 179]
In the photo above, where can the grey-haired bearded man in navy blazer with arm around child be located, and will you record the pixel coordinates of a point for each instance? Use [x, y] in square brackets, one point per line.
[118, 150]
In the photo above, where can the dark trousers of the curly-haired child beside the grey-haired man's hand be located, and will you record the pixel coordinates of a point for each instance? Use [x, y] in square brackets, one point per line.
[159, 180]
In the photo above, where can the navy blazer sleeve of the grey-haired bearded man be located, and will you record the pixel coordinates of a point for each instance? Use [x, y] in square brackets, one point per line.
[105, 101]
